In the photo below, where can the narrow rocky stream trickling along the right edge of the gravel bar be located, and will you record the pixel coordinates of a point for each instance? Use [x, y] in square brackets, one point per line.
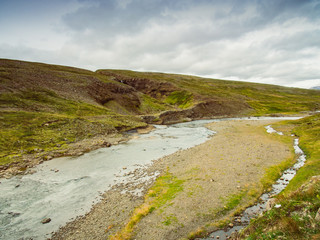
[261, 206]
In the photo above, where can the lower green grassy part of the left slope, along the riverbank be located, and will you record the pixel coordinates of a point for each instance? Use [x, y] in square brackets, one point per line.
[30, 132]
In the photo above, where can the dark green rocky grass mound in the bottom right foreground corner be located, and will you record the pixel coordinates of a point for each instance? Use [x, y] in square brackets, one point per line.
[295, 219]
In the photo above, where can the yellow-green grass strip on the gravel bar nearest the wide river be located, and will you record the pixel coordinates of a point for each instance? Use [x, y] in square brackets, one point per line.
[164, 189]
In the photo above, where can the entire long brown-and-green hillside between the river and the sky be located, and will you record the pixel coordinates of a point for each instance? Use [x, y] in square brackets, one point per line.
[46, 109]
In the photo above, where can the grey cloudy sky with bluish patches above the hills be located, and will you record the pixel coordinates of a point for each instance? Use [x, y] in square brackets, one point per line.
[267, 41]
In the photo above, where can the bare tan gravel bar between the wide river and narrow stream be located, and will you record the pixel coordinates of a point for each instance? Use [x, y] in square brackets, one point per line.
[229, 162]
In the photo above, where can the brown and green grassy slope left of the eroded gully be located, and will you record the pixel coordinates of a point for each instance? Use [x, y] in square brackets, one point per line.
[45, 107]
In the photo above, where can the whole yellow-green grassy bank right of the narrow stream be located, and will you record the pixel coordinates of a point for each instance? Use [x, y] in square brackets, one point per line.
[300, 201]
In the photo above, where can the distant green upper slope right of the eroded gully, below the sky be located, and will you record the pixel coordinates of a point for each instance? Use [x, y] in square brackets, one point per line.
[263, 98]
